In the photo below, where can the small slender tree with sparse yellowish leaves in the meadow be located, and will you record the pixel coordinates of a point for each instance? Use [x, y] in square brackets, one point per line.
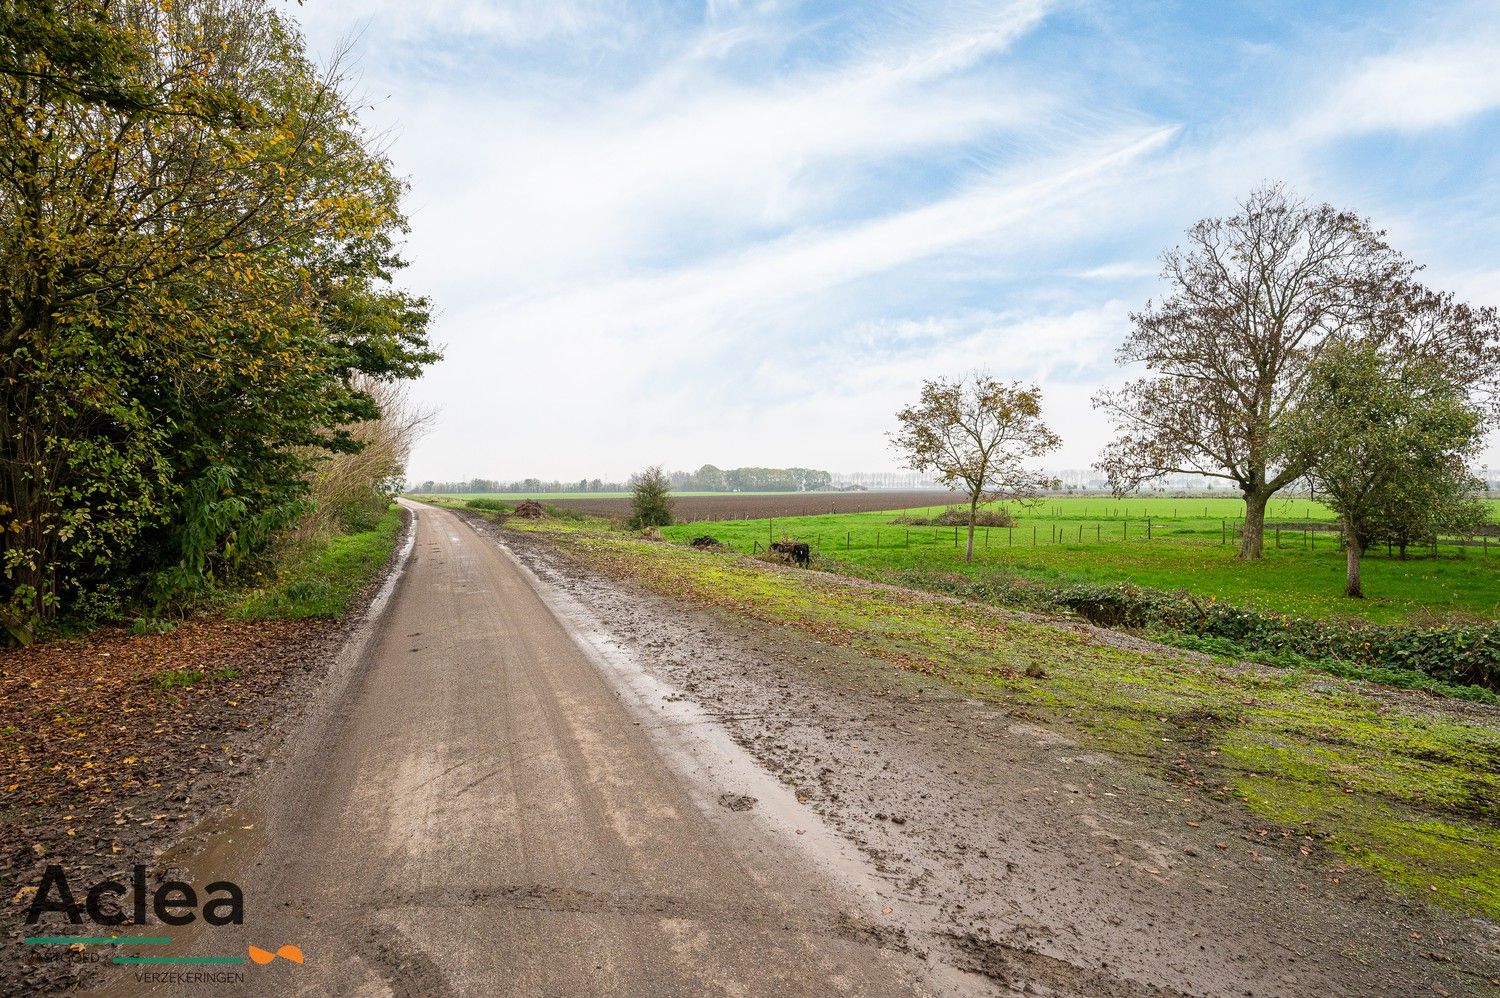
[977, 433]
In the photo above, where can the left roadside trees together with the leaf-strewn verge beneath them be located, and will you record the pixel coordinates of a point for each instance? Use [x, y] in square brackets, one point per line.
[202, 349]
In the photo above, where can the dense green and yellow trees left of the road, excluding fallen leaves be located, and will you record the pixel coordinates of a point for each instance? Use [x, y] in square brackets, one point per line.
[199, 325]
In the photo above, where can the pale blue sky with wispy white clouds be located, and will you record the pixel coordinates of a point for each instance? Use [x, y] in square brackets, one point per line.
[745, 233]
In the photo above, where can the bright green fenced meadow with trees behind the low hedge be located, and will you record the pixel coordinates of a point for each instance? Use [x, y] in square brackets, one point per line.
[1192, 547]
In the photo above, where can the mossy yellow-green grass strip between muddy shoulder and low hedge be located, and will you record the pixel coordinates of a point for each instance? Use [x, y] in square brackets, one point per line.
[1403, 786]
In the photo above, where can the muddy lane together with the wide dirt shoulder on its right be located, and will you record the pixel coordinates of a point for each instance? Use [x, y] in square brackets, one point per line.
[532, 778]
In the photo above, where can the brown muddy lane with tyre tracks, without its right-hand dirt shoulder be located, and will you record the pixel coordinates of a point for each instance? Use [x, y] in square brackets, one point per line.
[482, 811]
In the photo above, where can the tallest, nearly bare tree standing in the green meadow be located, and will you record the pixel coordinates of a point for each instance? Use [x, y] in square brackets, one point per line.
[1253, 299]
